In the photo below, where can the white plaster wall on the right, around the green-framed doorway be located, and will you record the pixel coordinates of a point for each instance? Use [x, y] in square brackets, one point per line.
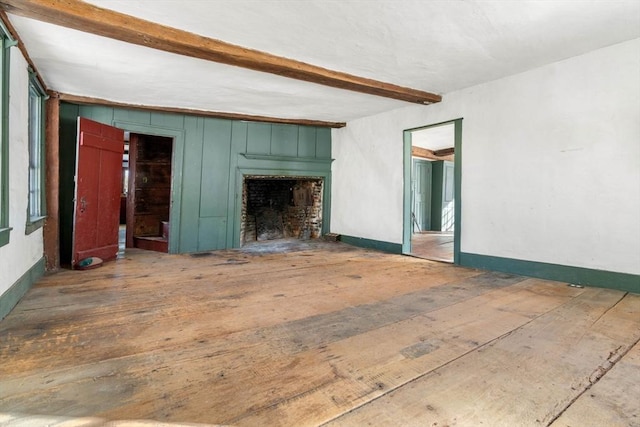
[550, 164]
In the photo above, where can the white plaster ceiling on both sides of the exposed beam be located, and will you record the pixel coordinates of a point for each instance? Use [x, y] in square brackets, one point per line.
[432, 45]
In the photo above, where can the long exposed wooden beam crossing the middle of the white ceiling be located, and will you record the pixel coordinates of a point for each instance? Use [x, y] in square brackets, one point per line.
[108, 23]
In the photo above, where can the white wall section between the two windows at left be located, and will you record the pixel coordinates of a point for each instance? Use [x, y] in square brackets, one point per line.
[23, 251]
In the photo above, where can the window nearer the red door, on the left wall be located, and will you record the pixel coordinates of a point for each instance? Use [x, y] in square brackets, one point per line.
[36, 210]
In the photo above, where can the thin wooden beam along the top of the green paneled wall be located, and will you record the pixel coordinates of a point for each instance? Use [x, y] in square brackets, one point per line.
[85, 100]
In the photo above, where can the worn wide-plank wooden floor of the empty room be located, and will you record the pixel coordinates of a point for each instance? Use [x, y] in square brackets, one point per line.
[322, 335]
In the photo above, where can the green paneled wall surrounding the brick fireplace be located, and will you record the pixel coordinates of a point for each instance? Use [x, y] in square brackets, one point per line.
[210, 157]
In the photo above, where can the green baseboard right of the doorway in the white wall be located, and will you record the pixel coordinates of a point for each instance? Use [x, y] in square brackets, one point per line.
[562, 273]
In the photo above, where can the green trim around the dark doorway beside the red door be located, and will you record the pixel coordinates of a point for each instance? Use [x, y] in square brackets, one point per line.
[177, 160]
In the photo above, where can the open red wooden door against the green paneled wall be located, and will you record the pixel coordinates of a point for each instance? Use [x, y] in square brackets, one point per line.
[98, 189]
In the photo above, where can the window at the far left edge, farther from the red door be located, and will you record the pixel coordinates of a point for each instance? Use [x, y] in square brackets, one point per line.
[5, 44]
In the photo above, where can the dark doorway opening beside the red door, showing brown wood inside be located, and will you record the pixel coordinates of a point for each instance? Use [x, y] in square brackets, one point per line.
[148, 174]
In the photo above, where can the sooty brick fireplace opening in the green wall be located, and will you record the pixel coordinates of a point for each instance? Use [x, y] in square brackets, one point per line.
[280, 208]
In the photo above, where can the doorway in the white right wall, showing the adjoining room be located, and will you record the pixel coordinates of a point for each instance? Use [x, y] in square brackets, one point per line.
[432, 192]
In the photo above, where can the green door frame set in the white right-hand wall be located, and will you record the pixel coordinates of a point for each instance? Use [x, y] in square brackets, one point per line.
[407, 178]
